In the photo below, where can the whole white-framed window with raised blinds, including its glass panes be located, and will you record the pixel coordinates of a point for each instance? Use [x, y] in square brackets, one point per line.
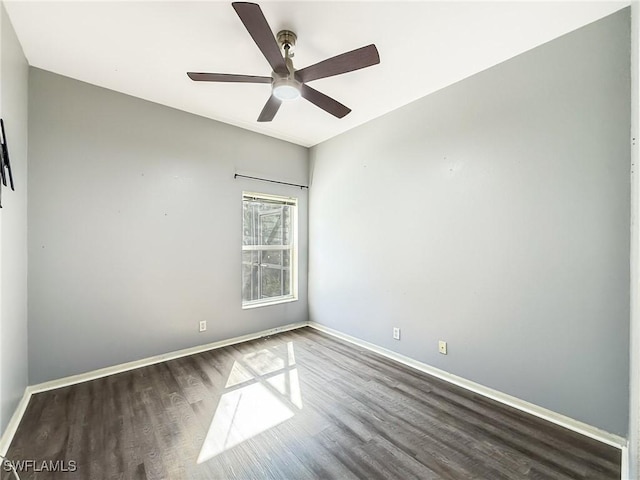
[268, 249]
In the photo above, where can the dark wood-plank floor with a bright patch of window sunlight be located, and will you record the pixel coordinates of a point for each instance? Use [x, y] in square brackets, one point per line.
[296, 405]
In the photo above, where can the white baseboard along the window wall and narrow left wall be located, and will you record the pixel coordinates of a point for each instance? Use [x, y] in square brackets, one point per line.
[7, 436]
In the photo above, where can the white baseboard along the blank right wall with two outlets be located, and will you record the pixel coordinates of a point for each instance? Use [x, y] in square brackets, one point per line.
[541, 412]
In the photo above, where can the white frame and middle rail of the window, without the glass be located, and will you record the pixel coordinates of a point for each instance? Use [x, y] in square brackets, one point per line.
[293, 296]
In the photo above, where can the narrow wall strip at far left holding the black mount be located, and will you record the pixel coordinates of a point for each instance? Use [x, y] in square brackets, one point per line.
[13, 225]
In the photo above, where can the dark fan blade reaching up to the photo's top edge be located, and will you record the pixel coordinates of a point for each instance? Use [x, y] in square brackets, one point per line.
[257, 26]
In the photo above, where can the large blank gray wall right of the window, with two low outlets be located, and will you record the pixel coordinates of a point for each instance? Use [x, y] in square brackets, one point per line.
[493, 214]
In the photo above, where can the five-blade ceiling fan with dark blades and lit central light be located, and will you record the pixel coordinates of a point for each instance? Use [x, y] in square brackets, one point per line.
[286, 82]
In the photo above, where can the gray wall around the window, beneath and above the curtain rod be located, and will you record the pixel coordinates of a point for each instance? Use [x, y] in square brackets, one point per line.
[134, 218]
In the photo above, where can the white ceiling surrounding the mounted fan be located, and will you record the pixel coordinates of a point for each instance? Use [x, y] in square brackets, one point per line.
[145, 48]
